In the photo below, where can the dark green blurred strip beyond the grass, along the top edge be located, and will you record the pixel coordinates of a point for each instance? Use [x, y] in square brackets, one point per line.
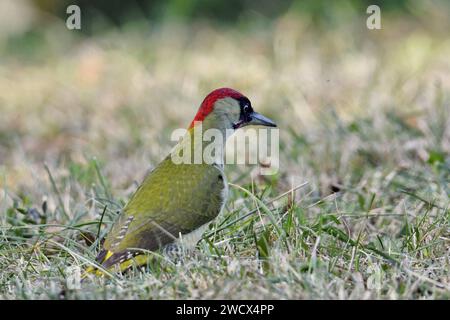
[322, 12]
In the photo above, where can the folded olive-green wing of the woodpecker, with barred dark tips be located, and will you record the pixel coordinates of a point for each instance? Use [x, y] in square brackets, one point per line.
[172, 200]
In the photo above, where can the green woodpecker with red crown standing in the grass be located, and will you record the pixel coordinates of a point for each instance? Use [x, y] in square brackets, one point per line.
[176, 200]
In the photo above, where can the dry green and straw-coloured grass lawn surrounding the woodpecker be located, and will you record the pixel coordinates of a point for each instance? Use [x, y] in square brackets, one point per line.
[359, 209]
